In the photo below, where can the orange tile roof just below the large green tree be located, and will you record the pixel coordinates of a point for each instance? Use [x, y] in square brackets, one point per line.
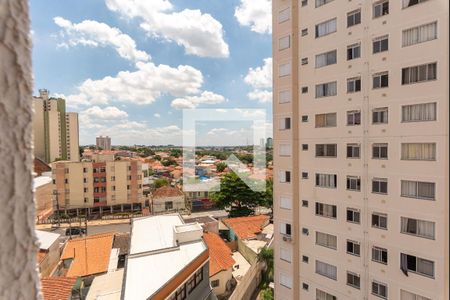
[247, 227]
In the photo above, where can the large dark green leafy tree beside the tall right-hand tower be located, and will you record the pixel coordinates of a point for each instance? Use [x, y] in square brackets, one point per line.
[237, 196]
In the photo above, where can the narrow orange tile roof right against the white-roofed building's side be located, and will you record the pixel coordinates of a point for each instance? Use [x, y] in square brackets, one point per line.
[220, 258]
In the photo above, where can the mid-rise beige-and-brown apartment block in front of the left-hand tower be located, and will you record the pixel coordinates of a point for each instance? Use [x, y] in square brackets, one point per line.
[101, 185]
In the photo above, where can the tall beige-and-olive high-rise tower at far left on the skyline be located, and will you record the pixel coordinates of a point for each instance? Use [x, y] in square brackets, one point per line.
[55, 130]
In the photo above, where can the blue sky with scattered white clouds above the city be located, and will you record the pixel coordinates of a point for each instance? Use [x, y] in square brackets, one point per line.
[130, 67]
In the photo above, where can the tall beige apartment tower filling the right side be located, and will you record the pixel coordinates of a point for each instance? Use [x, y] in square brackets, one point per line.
[361, 194]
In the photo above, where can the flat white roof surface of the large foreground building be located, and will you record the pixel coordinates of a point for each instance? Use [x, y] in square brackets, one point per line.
[154, 250]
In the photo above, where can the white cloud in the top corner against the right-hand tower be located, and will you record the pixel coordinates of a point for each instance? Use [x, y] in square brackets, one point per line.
[256, 14]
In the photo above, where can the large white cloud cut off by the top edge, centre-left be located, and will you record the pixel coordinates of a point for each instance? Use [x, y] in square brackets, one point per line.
[200, 34]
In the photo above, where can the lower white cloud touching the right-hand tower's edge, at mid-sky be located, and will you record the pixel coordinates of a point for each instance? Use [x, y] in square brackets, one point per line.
[260, 79]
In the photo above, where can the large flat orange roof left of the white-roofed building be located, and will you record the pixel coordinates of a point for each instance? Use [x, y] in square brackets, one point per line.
[90, 254]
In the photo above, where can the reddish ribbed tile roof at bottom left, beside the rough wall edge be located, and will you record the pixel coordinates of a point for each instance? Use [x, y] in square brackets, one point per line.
[57, 288]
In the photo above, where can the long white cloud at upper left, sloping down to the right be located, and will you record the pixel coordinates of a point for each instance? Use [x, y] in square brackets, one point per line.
[95, 34]
